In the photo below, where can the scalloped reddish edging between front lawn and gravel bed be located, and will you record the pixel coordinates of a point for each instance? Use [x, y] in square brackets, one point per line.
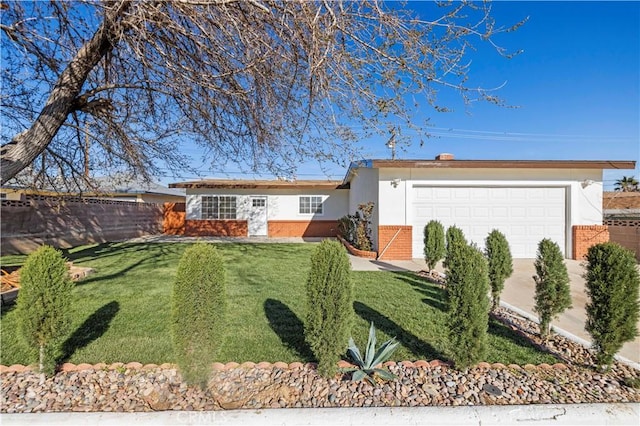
[218, 366]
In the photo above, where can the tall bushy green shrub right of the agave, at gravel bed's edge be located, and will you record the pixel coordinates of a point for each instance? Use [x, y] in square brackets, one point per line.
[467, 304]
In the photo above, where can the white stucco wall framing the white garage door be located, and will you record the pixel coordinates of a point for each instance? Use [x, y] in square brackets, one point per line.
[583, 190]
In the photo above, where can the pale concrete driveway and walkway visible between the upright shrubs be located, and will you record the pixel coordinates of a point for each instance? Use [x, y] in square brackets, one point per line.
[519, 293]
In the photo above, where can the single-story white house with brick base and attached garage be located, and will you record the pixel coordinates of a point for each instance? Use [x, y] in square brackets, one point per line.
[527, 200]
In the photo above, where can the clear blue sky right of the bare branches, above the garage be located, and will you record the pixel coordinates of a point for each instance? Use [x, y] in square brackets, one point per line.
[575, 89]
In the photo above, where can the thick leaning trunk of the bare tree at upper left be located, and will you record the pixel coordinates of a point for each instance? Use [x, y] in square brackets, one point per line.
[27, 145]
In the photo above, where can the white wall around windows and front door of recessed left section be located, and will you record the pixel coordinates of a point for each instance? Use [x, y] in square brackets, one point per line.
[282, 204]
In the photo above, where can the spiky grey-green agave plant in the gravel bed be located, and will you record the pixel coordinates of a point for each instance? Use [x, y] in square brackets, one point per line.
[366, 367]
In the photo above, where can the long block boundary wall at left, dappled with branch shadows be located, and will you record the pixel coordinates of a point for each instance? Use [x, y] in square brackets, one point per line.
[67, 222]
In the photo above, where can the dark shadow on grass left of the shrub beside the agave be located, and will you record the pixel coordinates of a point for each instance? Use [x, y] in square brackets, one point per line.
[288, 327]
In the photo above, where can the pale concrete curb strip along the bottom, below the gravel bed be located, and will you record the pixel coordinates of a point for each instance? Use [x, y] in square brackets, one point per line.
[552, 414]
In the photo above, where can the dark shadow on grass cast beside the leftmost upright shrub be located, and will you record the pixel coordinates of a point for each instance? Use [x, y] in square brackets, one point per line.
[91, 329]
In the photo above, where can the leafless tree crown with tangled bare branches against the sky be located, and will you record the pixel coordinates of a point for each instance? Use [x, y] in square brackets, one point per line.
[264, 84]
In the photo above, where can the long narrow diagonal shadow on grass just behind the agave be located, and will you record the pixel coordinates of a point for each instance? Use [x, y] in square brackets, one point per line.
[421, 349]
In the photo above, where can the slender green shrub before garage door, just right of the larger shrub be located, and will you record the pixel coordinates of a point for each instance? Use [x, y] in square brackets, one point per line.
[500, 263]
